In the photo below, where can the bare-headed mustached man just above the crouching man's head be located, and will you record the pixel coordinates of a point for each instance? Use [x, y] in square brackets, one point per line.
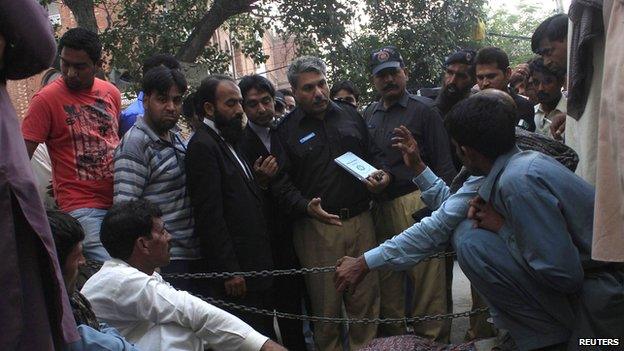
[493, 71]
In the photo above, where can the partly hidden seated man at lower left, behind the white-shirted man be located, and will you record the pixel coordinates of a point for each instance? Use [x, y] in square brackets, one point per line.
[68, 235]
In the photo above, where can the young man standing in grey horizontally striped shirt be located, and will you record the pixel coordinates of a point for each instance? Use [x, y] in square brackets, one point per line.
[149, 164]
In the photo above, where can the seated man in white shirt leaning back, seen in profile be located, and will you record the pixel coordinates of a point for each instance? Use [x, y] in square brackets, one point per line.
[129, 295]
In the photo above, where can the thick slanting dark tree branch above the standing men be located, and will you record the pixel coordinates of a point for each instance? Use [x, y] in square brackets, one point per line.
[218, 13]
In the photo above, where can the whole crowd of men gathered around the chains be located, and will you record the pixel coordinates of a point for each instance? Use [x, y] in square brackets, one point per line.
[256, 187]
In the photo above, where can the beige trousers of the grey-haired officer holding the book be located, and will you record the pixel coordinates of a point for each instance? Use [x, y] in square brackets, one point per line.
[318, 245]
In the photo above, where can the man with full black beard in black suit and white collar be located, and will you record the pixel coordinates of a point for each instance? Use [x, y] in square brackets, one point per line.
[227, 203]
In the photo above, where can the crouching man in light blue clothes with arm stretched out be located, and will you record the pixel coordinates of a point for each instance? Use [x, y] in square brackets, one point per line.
[533, 266]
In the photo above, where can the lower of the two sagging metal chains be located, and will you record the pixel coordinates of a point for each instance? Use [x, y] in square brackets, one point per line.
[339, 320]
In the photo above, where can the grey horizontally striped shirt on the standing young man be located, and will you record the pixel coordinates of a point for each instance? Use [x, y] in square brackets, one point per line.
[151, 168]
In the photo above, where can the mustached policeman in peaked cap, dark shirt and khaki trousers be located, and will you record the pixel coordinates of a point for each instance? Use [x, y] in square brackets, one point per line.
[402, 198]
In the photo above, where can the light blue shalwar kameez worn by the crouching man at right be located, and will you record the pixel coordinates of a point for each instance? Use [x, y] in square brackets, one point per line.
[536, 273]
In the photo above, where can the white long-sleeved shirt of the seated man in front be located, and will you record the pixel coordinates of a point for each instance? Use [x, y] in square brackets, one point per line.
[154, 316]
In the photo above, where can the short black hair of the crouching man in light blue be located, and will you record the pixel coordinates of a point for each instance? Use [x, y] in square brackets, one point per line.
[483, 123]
